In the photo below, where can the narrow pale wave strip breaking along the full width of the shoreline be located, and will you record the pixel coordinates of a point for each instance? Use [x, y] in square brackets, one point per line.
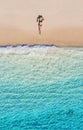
[38, 49]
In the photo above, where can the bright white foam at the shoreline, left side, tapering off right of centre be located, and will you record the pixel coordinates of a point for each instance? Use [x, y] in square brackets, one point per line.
[23, 49]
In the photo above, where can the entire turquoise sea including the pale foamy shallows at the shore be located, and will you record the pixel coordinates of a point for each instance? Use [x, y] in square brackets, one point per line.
[41, 88]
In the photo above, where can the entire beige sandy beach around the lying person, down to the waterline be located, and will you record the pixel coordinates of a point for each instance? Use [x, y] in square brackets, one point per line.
[63, 25]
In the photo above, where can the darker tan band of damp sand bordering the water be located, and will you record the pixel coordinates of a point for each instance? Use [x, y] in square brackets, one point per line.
[58, 36]
